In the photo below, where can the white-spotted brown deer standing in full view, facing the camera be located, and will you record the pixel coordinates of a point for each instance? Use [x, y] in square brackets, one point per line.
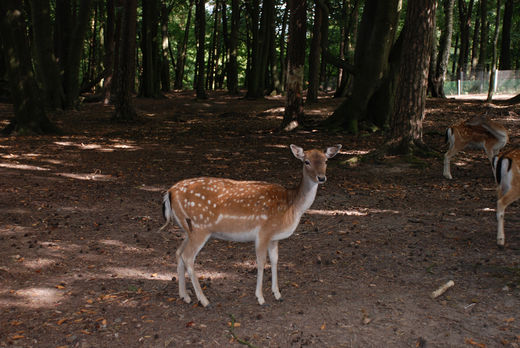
[242, 211]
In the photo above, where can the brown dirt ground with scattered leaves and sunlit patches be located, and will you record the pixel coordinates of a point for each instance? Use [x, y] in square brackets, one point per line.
[82, 263]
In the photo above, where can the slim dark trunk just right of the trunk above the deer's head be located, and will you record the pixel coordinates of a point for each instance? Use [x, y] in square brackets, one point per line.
[314, 55]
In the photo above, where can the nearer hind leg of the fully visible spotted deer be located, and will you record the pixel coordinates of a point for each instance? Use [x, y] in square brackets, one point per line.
[188, 255]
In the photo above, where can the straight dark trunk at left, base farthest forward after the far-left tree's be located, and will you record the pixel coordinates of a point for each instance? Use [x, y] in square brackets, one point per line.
[124, 110]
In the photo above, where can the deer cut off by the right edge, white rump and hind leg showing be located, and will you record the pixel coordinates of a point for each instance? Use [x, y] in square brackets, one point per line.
[507, 174]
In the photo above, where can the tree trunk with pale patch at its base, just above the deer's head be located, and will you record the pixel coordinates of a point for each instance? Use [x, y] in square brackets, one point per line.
[294, 114]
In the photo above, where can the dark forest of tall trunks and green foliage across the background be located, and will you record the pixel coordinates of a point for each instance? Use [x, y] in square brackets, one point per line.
[376, 55]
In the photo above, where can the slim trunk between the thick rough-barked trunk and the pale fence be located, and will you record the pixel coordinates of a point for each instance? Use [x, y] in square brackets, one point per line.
[441, 65]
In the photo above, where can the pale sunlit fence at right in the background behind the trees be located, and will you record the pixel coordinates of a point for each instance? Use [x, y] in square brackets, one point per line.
[477, 82]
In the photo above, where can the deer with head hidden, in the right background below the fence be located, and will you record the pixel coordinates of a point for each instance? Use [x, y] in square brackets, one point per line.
[478, 132]
